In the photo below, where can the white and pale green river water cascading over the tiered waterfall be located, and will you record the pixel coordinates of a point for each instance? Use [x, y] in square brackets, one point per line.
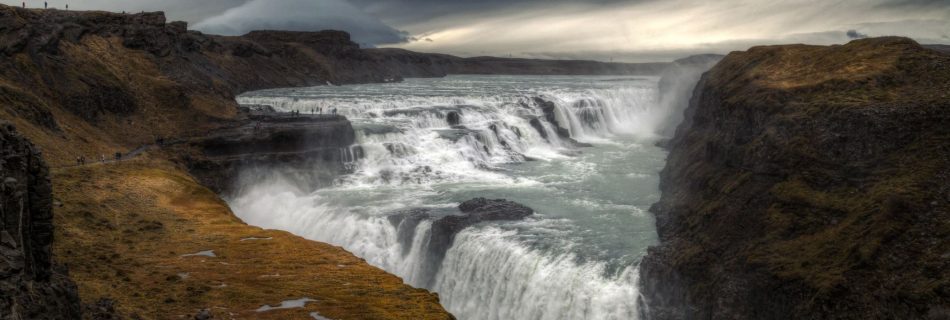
[576, 258]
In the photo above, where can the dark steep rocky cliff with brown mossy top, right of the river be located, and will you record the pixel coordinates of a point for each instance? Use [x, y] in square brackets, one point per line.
[809, 182]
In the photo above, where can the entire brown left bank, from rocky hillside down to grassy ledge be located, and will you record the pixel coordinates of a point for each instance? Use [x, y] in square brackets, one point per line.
[143, 239]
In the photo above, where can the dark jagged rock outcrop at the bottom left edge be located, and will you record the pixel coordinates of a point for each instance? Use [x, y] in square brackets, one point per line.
[31, 286]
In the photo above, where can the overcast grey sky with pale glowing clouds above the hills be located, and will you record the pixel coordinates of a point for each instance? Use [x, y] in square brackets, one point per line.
[623, 30]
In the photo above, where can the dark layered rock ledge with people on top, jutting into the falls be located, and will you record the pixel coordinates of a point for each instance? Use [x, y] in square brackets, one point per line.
[314, 147]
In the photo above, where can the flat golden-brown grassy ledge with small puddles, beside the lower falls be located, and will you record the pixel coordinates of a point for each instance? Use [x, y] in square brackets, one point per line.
[123, 228]
